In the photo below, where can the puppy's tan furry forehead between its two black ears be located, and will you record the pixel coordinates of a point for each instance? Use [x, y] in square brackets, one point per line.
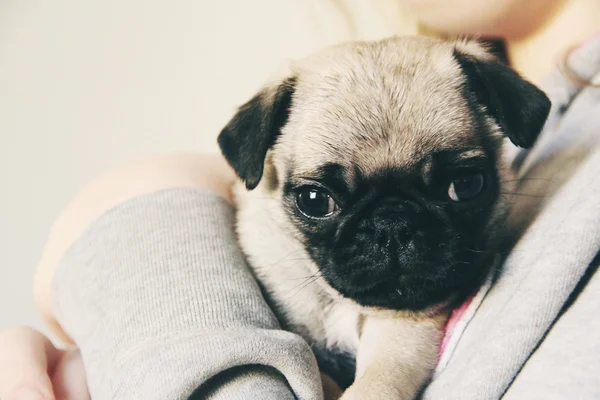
[379, 105]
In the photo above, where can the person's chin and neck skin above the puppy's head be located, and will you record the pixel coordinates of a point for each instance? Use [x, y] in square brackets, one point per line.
[537, 33]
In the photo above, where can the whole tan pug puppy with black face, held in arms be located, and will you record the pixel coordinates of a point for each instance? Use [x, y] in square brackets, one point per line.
[372, 192]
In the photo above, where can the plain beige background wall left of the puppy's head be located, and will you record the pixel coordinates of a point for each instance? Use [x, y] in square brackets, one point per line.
[88, 84]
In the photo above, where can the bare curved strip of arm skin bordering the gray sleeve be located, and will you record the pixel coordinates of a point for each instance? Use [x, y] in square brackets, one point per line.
[116, 187]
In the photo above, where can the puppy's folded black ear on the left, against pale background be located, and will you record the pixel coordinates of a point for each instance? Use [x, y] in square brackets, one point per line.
[246, 139]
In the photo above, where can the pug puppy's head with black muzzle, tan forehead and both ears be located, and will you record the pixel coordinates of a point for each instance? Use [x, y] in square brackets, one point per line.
[384, 158]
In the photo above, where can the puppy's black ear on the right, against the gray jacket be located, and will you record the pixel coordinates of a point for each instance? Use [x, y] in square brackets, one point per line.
[519, 107]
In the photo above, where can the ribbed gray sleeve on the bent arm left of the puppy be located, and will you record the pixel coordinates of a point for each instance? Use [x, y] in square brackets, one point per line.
[160, 300]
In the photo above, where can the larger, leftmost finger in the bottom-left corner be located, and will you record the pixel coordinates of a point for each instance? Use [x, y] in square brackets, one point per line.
[26, 356]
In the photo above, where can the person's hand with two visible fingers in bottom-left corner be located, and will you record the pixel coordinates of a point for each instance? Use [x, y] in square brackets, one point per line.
[32, 368]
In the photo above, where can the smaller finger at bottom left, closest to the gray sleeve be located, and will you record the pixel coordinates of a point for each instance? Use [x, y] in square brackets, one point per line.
[68, 378]
